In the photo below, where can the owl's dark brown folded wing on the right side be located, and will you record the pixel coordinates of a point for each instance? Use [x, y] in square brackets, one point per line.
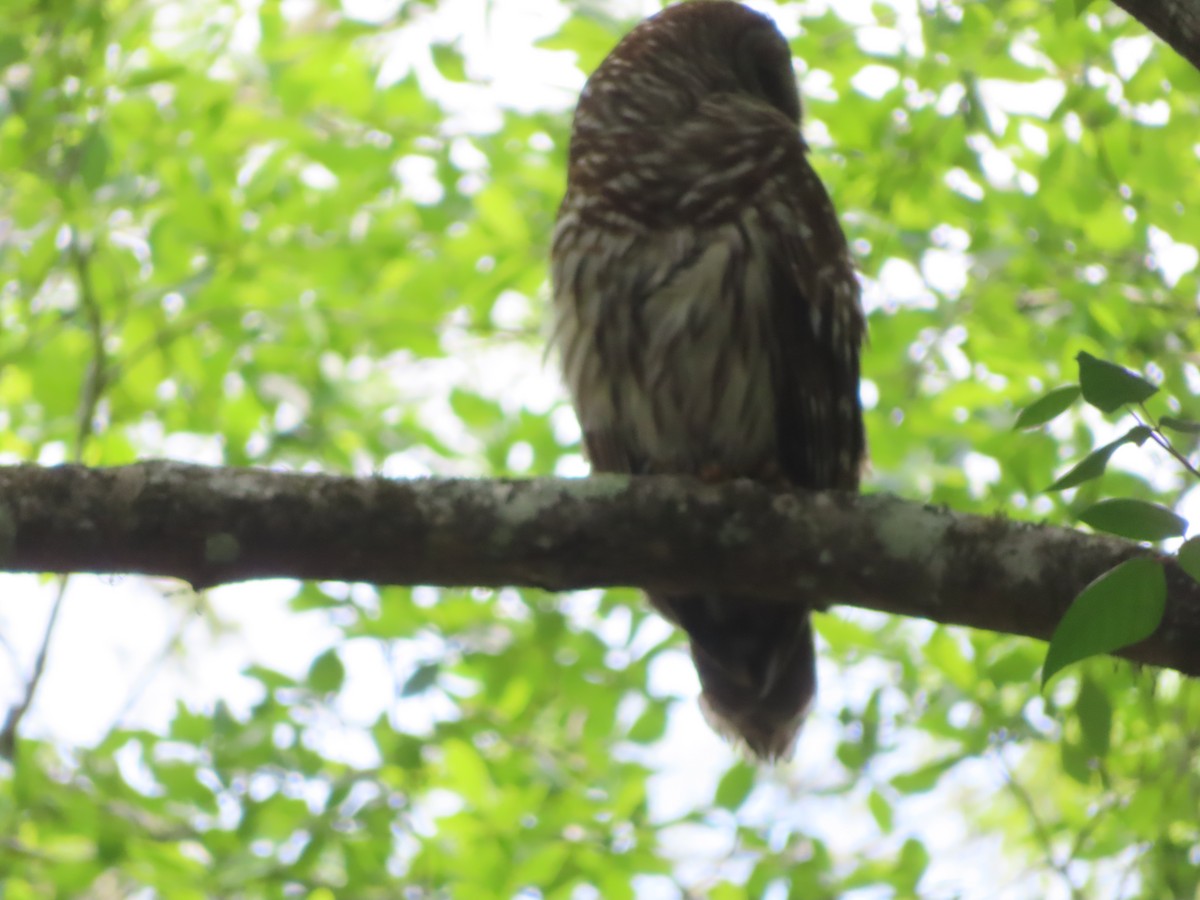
[820, 329]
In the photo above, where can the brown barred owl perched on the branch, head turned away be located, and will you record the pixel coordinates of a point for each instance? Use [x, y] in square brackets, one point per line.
[707, 315]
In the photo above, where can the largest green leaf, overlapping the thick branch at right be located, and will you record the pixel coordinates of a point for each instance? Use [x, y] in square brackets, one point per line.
[1121, 608]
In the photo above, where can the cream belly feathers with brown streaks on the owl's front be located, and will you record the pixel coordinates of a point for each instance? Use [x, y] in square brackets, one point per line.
[694, 308]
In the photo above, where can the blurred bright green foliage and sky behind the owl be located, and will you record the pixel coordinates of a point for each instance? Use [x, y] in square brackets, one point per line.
[284, 236]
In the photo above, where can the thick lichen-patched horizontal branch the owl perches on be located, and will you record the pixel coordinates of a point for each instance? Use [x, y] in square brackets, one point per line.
[213, 526]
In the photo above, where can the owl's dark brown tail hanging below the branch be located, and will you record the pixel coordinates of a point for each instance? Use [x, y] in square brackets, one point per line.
[757, 667]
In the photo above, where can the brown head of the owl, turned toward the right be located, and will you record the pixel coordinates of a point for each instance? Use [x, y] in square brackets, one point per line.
[671, 63]
